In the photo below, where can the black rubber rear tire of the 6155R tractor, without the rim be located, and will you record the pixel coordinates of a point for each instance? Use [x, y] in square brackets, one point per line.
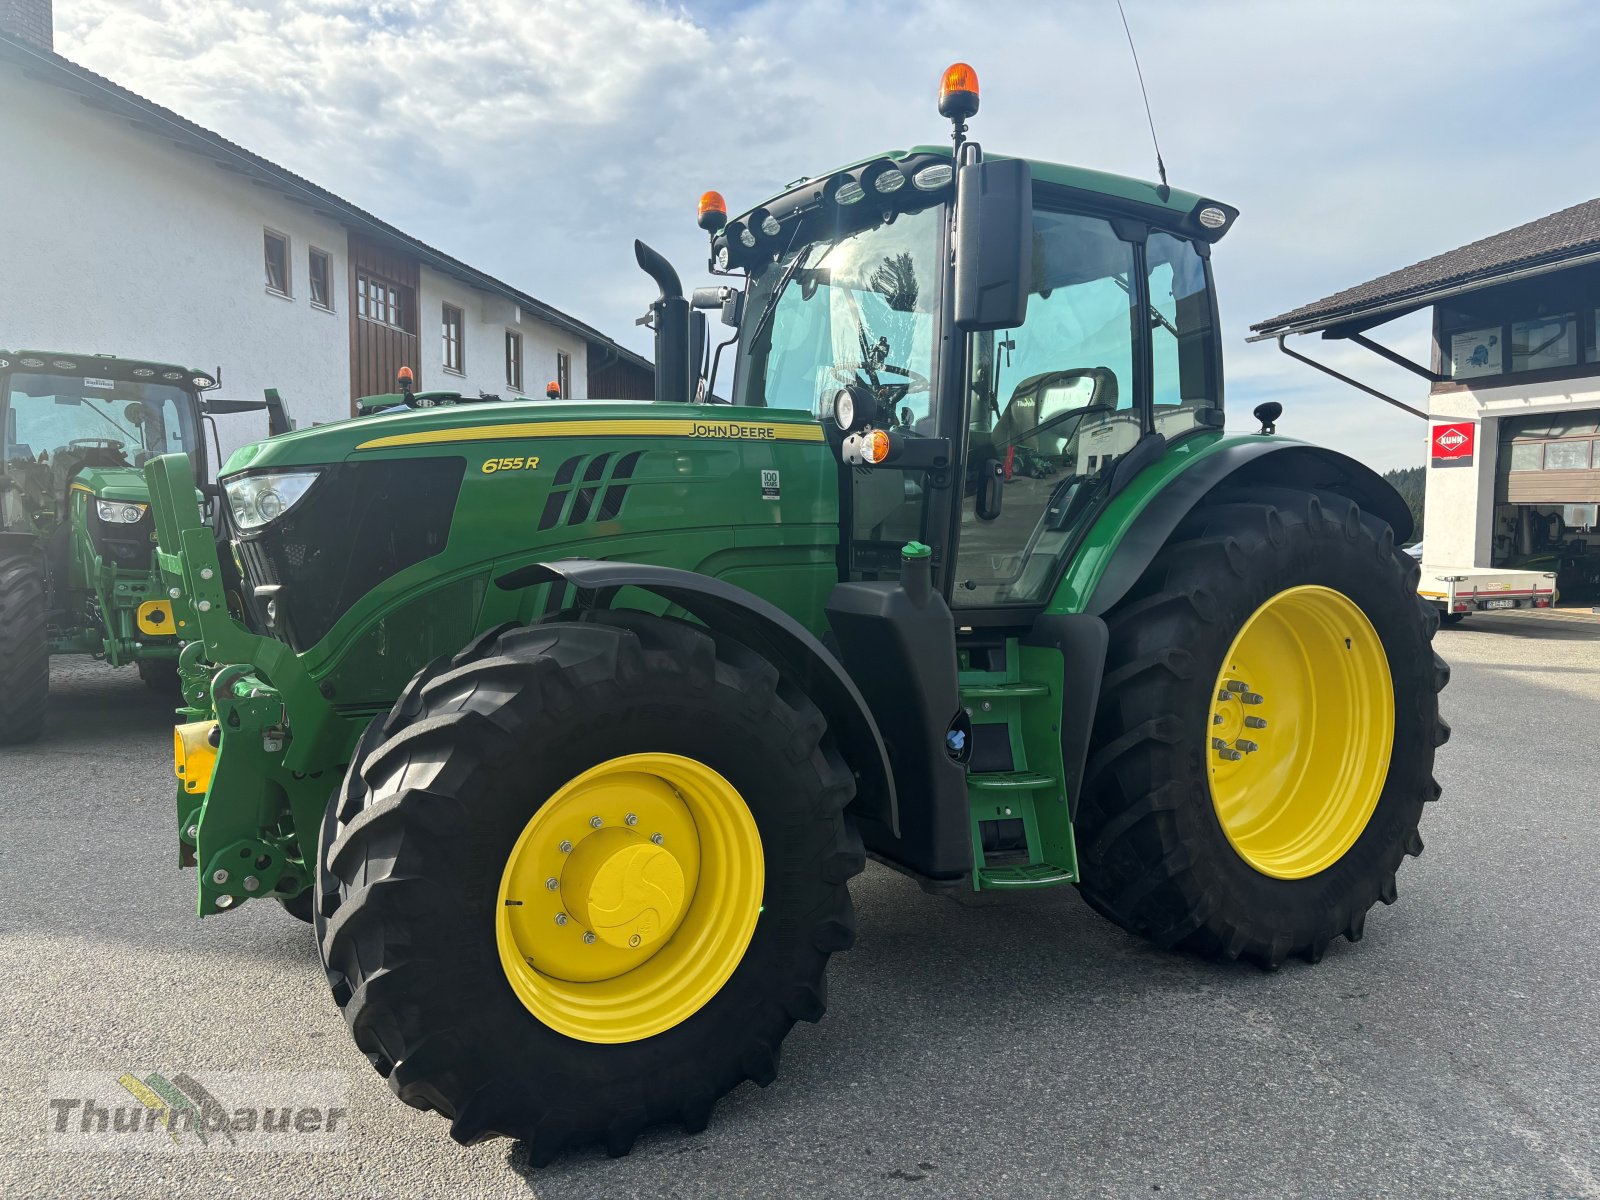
[1156, 857]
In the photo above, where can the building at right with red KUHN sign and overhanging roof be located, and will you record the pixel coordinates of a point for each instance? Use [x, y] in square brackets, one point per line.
[1514, 391]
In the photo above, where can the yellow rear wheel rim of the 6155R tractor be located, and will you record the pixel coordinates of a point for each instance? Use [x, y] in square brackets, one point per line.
[1300, 732]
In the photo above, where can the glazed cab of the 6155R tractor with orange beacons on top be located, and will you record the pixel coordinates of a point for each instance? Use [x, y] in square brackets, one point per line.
[990, 410]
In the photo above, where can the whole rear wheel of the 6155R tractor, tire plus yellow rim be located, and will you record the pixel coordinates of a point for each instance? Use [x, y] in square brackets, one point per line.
[1270, 839]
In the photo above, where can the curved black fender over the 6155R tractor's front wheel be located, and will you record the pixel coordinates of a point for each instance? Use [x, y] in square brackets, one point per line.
[767, 631]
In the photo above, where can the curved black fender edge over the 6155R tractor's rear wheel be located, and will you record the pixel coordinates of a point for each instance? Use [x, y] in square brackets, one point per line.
[1268, 462]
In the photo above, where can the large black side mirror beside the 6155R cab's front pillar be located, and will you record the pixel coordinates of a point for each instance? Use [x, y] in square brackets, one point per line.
[994, 244]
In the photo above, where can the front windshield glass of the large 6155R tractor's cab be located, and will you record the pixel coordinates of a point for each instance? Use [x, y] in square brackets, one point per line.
[857, 310]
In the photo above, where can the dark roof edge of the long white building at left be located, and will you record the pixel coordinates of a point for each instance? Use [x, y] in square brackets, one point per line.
[103, 94]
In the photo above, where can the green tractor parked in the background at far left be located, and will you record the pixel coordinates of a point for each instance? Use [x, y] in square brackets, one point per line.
[76, 532]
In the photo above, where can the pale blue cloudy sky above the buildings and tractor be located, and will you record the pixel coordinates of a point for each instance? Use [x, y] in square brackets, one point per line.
[537, 138]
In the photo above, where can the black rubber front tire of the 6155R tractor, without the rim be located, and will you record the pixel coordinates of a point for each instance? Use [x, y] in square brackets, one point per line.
[438, 798]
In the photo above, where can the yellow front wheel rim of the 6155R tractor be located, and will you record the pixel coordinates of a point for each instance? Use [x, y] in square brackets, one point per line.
[630, 898]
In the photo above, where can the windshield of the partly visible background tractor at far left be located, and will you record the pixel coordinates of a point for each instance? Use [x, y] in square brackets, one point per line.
[111, 423]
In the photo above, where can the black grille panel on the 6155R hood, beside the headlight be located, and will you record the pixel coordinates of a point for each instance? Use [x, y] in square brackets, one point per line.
[361, 524]
